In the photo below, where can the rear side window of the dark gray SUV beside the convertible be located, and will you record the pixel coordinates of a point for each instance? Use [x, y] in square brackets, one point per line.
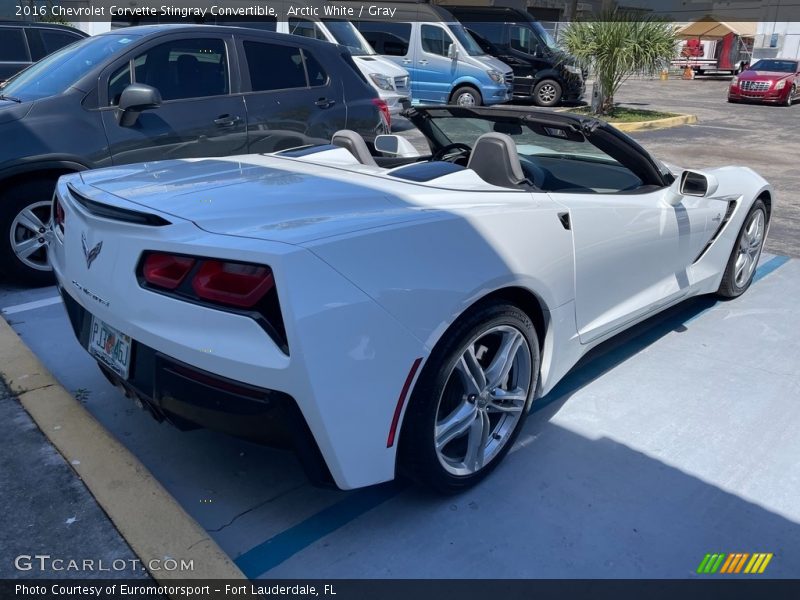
[278, 67]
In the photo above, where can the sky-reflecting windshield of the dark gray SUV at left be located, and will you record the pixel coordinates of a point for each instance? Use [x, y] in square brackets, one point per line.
[55, 74]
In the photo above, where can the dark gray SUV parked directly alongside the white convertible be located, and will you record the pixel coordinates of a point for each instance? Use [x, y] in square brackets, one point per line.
[163, 92]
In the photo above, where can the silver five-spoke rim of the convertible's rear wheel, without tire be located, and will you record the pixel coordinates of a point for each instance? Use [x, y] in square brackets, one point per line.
[486, 393]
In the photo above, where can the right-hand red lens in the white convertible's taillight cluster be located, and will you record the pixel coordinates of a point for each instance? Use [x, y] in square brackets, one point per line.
[234, 284]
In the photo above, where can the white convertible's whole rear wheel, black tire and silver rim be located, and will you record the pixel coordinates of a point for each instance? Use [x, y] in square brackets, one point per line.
[471, 399]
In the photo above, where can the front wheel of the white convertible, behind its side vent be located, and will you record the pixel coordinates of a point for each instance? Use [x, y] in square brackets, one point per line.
[743, 261]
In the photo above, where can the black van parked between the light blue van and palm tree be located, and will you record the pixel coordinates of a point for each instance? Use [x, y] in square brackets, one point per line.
[543, 72]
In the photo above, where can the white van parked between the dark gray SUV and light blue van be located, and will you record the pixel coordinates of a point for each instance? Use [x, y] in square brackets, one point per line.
[390, 79]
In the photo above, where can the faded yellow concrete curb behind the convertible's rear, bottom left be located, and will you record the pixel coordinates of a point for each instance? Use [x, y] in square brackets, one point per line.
[147, 516]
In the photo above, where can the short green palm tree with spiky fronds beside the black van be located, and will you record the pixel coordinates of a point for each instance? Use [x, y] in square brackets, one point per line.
[619, 45]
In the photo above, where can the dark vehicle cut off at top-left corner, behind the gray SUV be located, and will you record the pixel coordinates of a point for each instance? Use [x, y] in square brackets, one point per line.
[22, 43]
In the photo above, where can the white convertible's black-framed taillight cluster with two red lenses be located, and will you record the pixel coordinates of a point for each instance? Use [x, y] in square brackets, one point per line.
[243, 288]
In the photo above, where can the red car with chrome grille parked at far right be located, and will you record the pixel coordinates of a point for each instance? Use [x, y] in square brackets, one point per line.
[773, 80]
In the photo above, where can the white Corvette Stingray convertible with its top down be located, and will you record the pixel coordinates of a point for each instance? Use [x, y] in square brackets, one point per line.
[390, 314]
